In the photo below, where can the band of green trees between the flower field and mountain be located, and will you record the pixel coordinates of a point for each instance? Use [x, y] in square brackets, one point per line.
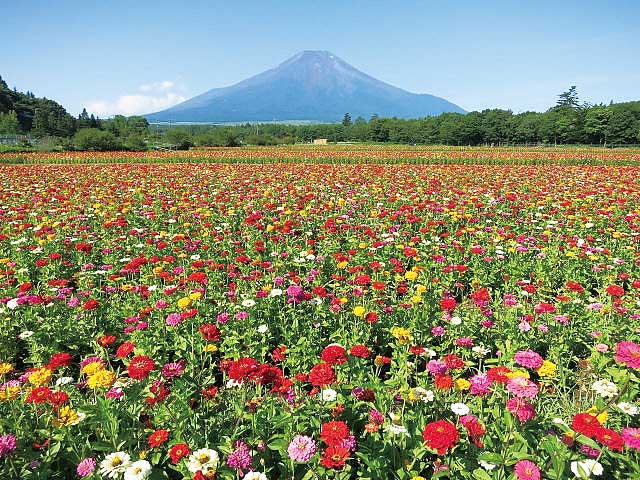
[569, 121]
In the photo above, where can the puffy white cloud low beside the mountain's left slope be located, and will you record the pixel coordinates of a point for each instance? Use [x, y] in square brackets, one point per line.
[157, 96]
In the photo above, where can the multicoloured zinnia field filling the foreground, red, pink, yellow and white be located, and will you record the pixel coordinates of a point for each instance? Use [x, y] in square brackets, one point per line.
[310, 320]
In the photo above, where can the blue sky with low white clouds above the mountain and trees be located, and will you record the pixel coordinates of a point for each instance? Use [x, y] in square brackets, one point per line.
[125, 56]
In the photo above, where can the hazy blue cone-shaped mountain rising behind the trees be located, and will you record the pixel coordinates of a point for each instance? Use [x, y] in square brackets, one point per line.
[312, 85]
